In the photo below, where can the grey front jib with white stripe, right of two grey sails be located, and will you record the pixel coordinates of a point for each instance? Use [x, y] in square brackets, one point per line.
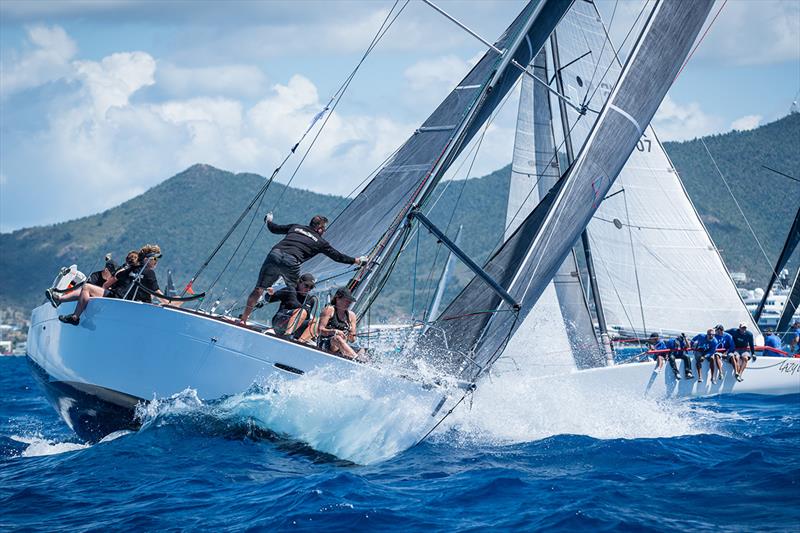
[474, 329]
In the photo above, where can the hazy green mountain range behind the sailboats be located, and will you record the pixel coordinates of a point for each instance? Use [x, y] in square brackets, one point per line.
[190, 212]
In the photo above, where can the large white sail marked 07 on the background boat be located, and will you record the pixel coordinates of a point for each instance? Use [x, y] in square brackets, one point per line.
[657, 268]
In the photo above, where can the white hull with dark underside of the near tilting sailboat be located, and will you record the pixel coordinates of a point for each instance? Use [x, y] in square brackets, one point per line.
[124, 352]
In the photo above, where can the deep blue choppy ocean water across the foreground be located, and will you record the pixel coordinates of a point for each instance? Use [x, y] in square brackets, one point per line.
[519, 459]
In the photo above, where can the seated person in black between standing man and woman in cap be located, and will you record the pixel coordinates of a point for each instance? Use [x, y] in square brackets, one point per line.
[297, 305]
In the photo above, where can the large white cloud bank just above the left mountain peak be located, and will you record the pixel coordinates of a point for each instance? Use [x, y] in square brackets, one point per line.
[117, 146]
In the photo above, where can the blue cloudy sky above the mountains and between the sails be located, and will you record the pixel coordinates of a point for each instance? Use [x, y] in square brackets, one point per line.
[102, 100]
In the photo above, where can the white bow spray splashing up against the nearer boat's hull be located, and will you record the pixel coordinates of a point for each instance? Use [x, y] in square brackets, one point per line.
[347, 416]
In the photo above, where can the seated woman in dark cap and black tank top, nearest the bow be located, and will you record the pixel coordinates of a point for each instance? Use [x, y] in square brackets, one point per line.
[337, 327]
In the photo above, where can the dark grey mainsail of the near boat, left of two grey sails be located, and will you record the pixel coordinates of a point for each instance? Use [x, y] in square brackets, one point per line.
[367, 224]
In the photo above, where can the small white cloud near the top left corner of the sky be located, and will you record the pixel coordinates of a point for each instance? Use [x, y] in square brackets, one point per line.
[46, 57]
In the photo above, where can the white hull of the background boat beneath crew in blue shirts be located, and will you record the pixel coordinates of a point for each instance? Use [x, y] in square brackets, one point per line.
[767, 375]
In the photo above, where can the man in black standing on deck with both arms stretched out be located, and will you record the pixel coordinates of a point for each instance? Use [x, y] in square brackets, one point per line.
[284, 259]
